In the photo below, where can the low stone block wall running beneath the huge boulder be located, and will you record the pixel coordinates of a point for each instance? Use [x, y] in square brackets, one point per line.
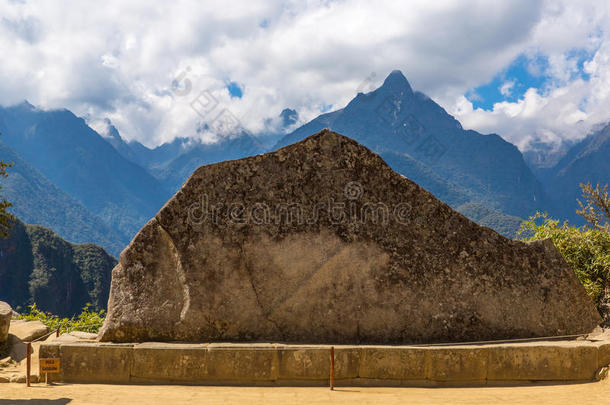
[284, 364]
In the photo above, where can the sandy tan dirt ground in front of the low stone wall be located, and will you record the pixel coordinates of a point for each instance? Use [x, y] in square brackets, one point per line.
[589, 393]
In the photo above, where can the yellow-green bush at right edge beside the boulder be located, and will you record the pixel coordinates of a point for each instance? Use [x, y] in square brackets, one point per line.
[586, 249]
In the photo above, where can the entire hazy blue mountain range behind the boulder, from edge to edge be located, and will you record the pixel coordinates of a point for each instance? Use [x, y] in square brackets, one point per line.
[100, 188]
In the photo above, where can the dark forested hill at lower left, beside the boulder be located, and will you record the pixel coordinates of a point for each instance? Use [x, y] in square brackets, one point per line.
[37, 266]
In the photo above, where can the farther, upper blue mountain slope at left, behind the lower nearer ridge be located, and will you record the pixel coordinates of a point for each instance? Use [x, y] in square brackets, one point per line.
[80, 162]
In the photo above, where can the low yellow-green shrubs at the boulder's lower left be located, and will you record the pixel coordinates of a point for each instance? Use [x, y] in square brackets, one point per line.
[86, 321]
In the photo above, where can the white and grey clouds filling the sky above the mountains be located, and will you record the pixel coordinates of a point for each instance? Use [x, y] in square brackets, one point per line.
[119, 60]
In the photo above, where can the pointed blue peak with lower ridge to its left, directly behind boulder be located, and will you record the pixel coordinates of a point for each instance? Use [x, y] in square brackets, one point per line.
[417, 138]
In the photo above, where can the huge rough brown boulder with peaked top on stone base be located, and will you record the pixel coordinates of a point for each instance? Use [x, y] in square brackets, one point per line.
[321, 242]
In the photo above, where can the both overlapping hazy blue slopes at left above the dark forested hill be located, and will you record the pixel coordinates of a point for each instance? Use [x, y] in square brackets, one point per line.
[82, 165]
